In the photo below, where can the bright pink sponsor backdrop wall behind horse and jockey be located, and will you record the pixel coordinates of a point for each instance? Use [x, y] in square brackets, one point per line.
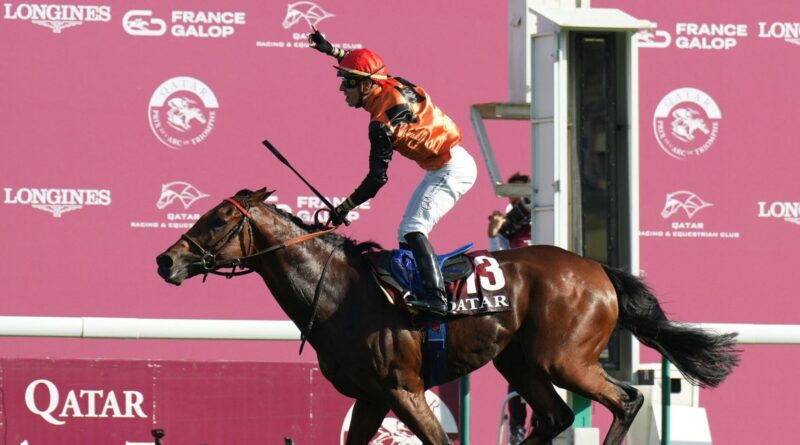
[85, 110]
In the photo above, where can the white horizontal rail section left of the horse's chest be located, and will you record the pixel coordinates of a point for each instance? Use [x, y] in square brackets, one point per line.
[147, 328]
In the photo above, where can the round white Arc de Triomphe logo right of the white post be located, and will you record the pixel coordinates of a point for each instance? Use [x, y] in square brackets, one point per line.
[686, 123]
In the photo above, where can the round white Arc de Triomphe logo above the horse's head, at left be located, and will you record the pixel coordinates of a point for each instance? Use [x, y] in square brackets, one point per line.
[182, 112]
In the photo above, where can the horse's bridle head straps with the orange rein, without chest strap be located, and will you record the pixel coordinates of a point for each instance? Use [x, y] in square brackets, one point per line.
[208, 257]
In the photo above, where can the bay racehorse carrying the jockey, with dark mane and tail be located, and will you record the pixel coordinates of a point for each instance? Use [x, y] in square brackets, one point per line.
[565, 308]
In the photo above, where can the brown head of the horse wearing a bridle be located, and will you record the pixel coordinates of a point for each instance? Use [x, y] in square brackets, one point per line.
[217, 239]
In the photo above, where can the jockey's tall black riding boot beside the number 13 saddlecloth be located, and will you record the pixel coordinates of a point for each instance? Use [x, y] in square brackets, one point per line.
[435, 298]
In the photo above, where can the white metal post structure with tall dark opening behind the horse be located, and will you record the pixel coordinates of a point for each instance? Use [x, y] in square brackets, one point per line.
[558, 43]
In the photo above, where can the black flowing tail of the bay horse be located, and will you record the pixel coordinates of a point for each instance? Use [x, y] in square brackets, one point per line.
[704, 358]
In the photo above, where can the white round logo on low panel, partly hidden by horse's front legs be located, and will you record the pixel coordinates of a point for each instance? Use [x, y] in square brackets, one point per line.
[395, 432]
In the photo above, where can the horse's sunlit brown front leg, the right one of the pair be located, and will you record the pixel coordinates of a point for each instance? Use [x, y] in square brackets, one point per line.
[413, 410]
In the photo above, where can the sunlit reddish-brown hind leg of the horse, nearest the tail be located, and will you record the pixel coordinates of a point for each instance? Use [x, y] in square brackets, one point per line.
[622, 400]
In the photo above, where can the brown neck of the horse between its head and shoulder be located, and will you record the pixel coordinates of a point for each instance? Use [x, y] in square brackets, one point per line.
[292, 273]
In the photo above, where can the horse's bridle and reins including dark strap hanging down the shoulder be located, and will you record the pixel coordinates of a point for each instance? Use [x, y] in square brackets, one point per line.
[208, 259]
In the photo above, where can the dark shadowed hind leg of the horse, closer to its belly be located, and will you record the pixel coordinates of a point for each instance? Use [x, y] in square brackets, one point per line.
[551, 414]
